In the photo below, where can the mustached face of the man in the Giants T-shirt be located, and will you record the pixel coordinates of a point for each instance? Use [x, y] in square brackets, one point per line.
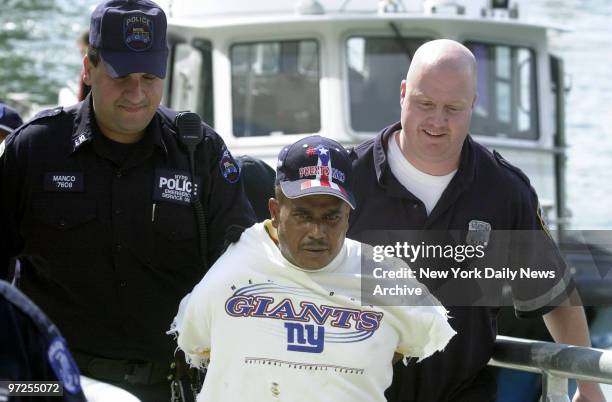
[311, 229]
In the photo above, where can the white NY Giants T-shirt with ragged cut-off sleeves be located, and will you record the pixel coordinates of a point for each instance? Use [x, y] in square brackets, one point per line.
[276, 332]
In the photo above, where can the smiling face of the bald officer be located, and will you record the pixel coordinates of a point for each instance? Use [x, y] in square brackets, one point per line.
[436, 111]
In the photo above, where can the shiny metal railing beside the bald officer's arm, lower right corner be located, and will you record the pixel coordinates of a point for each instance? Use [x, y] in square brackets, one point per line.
[555, 362]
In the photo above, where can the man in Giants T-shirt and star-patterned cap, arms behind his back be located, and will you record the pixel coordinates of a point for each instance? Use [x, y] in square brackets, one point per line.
[280, 314]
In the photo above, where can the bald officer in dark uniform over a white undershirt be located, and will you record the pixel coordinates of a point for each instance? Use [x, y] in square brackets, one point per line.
[426, 172]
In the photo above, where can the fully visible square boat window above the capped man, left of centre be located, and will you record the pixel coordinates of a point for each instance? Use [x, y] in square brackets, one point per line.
[275, 88]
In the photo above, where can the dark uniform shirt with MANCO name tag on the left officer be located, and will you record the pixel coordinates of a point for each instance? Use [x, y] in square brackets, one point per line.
[111, 241]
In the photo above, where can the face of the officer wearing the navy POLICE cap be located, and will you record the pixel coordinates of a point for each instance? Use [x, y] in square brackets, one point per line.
[124, 106]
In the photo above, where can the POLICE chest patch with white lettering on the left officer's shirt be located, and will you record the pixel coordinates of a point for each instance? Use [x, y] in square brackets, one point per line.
[174, 186]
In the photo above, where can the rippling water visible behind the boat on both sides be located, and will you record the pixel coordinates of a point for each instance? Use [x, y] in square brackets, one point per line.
[38, 54]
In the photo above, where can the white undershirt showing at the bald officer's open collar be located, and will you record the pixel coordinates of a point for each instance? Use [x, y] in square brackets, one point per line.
[425, 187]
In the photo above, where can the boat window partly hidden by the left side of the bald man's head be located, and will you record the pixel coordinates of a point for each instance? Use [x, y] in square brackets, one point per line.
[376, 67]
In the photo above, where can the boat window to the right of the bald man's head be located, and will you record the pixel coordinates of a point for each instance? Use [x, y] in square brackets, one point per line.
[507, 92]
